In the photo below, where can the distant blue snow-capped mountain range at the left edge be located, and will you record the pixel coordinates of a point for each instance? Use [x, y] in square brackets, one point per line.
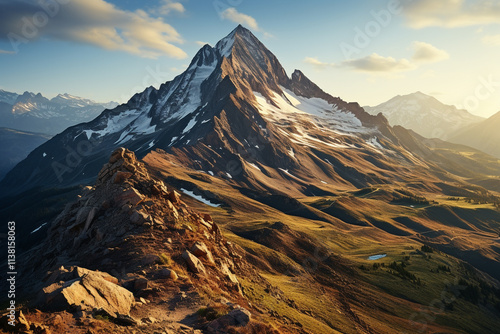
[35, 113]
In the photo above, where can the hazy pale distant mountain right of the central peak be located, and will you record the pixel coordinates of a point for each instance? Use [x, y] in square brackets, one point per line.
[425, 115]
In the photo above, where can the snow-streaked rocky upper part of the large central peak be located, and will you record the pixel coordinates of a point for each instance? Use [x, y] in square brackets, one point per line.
[234, 100]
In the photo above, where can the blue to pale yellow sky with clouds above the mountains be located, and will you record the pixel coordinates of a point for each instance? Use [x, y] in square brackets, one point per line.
[365, 51]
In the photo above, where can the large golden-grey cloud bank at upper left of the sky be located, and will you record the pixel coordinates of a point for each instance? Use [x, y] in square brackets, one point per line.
[95, 22]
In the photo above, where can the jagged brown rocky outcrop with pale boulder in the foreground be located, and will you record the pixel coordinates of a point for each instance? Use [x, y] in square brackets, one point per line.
[131, 257]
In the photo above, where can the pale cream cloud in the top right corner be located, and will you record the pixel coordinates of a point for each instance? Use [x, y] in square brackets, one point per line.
[451, 13]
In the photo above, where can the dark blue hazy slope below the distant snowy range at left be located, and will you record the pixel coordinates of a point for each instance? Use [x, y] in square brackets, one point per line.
[16, 145]
